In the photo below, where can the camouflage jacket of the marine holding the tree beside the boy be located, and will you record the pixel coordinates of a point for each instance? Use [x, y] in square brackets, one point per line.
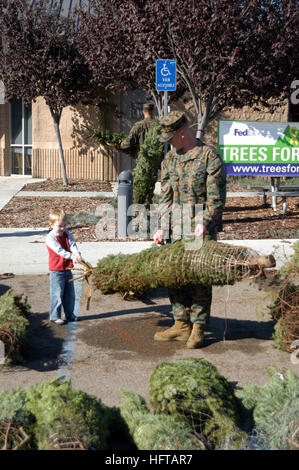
[195, 177]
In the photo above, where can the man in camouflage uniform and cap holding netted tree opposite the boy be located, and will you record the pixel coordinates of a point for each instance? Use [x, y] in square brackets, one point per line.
[194, 177]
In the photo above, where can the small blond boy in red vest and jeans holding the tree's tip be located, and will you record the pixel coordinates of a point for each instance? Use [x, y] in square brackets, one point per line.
[63, 251]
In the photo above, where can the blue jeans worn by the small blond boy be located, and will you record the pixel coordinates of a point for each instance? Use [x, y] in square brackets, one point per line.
[64, 294]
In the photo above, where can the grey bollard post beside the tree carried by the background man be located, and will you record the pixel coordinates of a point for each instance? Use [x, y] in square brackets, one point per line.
[124, 200]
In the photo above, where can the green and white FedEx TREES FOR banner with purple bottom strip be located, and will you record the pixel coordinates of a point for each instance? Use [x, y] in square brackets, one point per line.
[259, 148]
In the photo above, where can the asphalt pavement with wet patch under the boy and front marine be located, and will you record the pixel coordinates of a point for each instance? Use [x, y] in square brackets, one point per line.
[113, 345]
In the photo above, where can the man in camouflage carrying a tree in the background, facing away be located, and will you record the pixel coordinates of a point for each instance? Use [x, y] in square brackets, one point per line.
[132, 143]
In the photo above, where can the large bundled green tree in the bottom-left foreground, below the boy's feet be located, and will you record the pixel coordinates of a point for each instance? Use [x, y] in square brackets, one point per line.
[66, 417]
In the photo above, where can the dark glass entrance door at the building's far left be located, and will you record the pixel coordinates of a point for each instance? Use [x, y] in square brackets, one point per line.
[20, 138]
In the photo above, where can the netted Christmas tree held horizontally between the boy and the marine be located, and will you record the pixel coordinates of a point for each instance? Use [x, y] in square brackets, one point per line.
[175, 265]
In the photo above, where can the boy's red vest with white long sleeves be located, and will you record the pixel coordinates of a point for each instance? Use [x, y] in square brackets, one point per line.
[62, 248]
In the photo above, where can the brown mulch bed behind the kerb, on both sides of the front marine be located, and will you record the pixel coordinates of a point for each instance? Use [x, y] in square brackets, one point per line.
[243, 218]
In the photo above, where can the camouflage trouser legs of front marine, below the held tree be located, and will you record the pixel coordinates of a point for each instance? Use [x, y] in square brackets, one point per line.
[192, 303]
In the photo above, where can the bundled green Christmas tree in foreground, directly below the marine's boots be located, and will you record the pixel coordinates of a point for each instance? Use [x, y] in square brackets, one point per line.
[192, 390]
